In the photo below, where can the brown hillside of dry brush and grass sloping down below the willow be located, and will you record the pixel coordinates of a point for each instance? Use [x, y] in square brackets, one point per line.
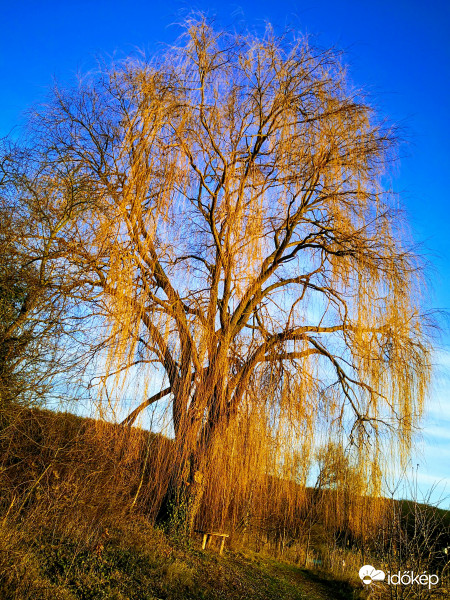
[73, 526]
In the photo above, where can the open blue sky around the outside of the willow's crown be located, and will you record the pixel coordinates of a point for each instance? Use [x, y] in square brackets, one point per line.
[397, 50]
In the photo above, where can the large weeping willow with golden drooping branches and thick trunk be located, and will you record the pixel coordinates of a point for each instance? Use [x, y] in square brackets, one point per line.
[235, 232]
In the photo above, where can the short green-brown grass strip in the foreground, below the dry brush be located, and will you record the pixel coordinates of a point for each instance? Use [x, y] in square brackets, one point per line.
[134, 561]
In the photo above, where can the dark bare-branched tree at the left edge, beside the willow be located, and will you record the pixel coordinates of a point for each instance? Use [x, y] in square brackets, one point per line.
[33, 300]
